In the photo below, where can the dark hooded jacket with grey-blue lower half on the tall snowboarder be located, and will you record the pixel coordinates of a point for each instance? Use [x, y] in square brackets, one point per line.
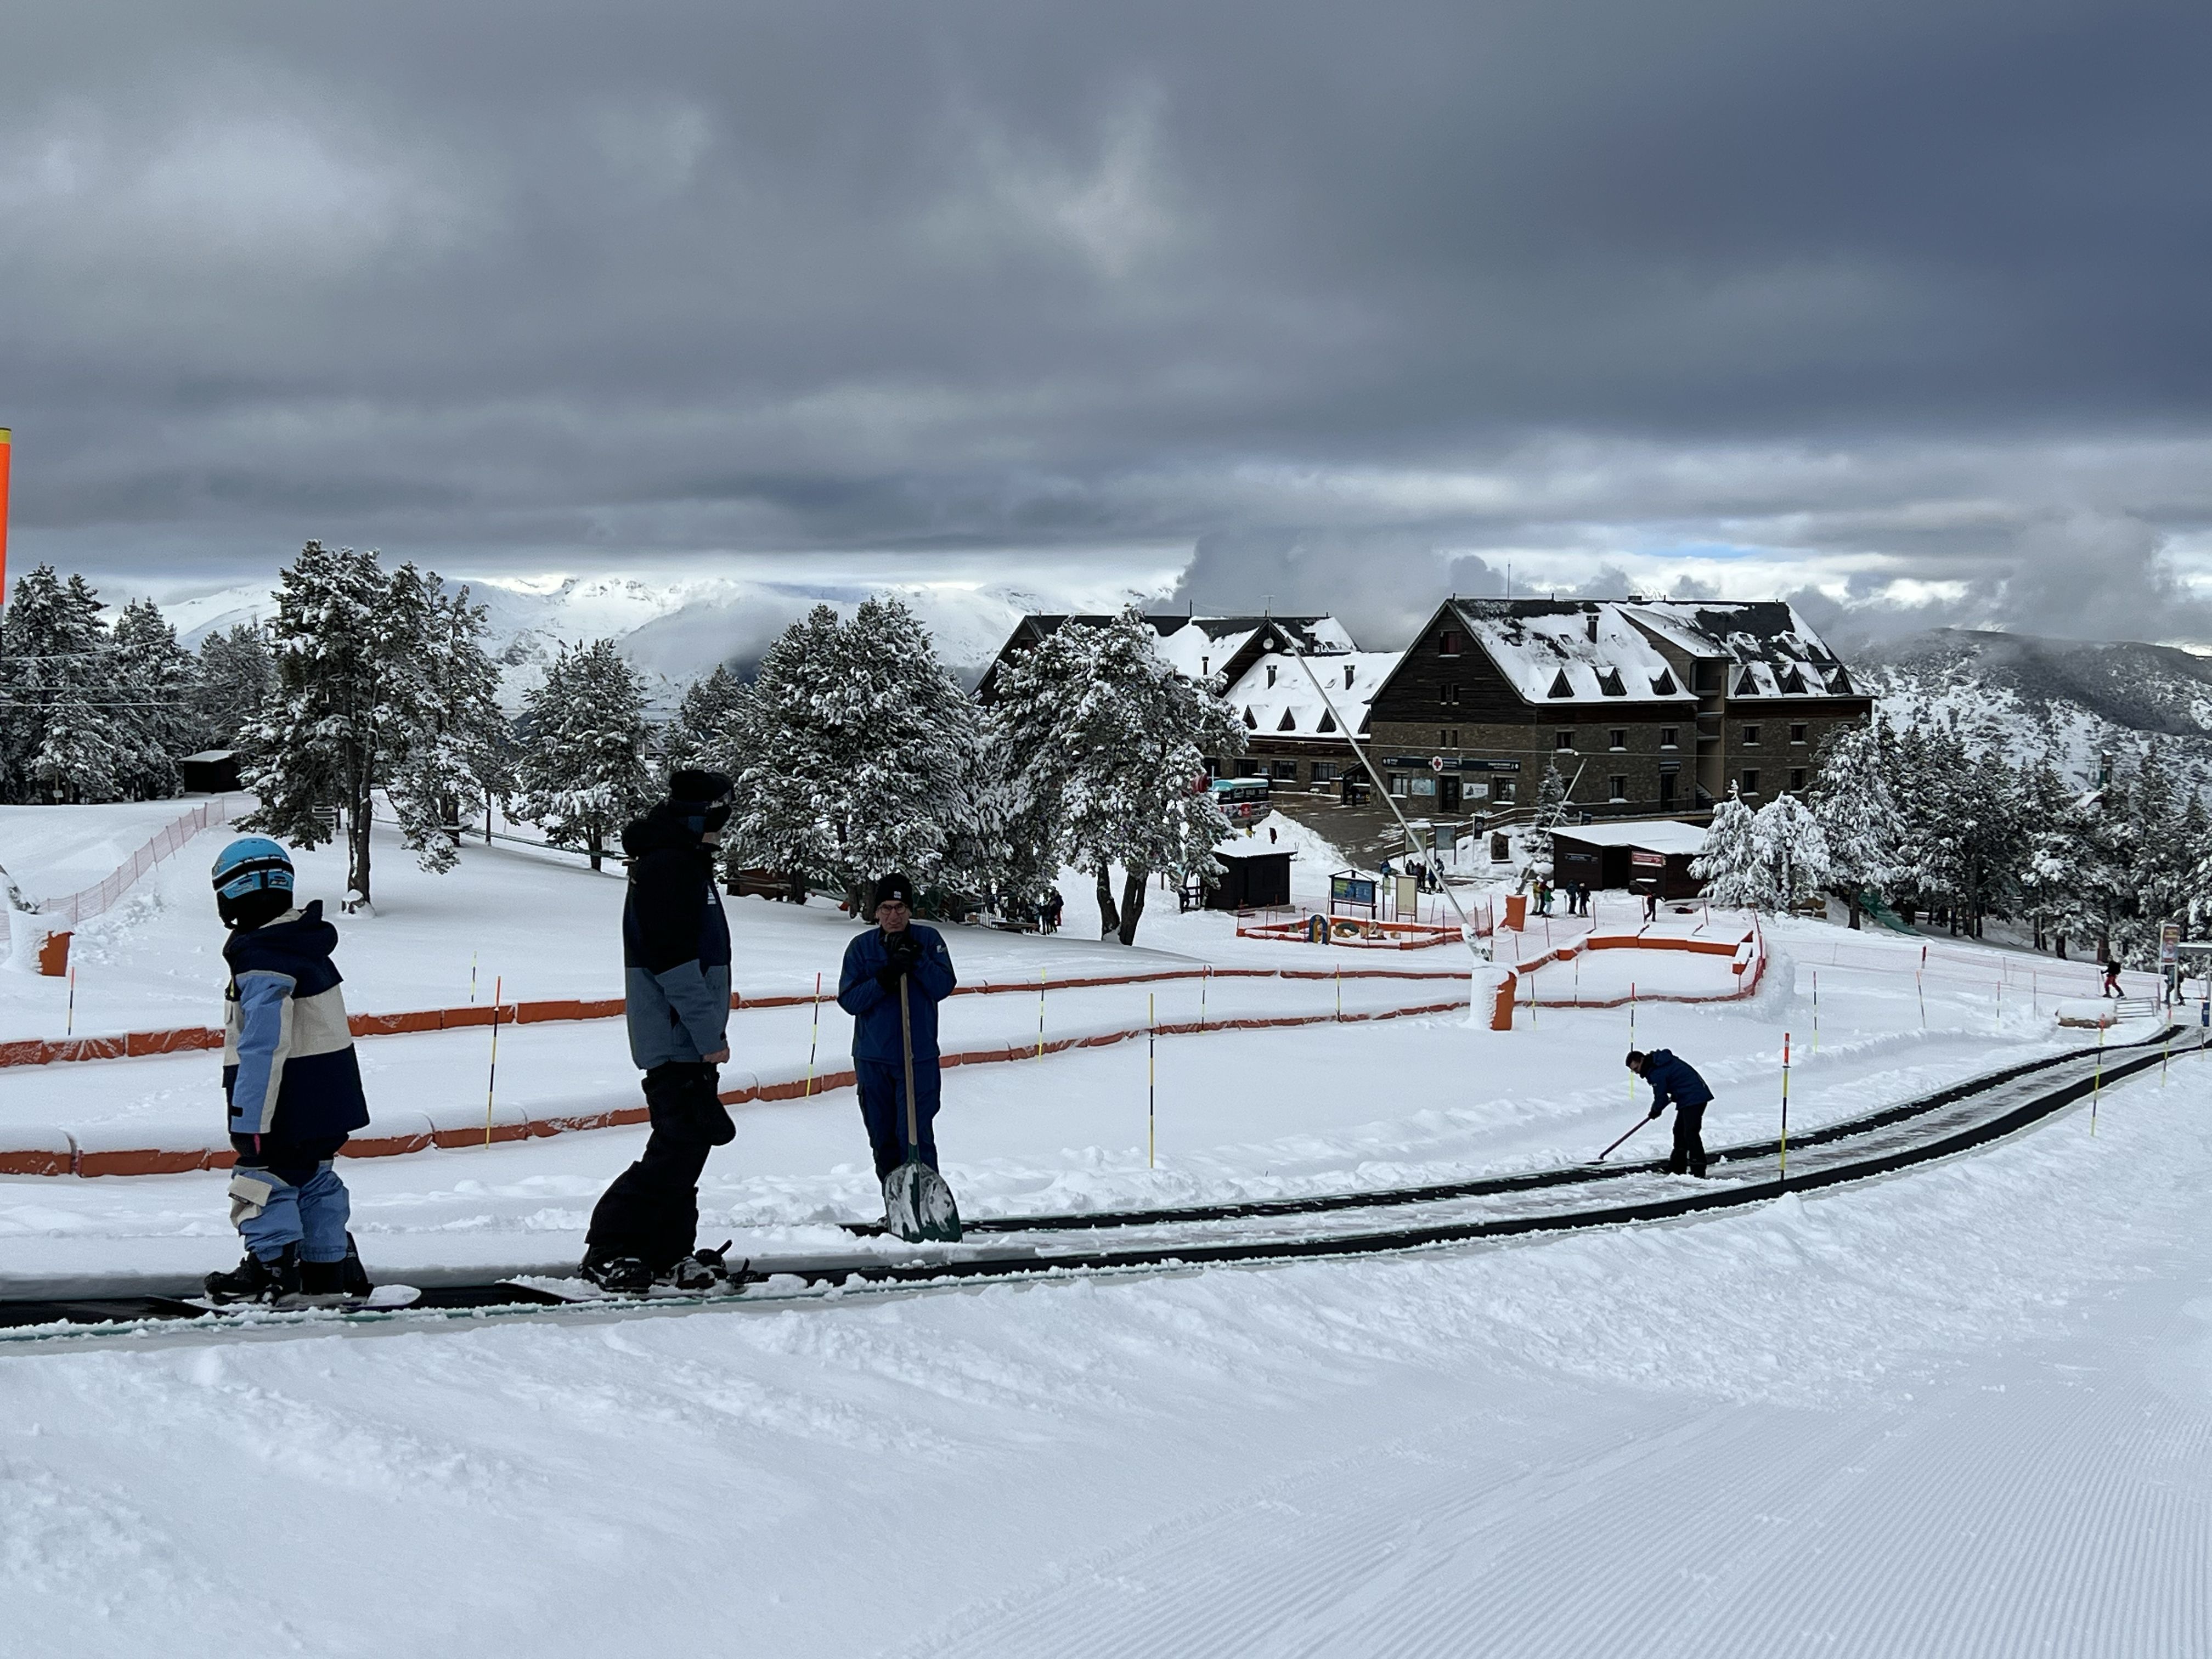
[676, 943]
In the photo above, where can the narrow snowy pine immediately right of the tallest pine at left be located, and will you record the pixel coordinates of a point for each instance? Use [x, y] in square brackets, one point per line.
[452, 760]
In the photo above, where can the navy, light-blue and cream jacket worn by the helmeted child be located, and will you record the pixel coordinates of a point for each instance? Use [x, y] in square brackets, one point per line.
[289, 1056]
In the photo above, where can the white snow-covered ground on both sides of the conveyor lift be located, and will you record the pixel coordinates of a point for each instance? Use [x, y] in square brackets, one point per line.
[1961, 1412]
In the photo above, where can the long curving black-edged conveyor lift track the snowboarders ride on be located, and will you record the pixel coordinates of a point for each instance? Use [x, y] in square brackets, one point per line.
[1948, 1123]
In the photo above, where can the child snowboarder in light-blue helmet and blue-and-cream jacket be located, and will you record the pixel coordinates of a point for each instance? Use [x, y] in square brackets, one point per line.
[291, 1081]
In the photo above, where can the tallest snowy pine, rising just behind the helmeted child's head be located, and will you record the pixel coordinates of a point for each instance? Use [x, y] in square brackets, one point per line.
[335, 718]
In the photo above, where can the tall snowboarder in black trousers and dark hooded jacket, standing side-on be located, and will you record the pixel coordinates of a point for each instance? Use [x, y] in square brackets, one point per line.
[676, 968]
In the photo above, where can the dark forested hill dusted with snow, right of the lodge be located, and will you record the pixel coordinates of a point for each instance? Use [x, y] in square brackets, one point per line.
[2067, 700]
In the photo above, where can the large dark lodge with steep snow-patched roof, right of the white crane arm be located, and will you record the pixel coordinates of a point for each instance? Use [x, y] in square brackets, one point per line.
[1647, 707]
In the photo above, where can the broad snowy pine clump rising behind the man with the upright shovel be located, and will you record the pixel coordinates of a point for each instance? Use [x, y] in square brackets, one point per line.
[859, 758]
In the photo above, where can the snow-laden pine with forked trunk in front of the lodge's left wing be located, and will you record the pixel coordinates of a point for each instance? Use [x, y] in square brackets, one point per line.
[1120, 744]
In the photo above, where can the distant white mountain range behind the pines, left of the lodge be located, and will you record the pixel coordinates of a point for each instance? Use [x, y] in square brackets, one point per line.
[676, 629]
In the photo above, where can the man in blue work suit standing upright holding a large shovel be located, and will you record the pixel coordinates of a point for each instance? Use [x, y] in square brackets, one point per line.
[897, 948]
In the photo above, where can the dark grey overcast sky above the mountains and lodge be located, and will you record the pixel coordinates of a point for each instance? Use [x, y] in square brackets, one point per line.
[1897, 306]
